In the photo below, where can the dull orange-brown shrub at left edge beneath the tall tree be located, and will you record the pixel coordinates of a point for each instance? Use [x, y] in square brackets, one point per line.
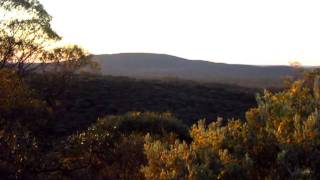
[19, 105]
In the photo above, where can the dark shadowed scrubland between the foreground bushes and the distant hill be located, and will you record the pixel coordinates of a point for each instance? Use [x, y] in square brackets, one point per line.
[93, 97]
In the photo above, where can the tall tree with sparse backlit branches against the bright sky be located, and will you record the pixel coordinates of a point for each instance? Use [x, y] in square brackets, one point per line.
[27, 41]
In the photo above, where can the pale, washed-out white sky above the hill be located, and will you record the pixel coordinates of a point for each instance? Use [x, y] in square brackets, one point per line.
[231, 31]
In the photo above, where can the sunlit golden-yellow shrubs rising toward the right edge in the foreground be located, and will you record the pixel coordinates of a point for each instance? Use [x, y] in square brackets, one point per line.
[280, 139]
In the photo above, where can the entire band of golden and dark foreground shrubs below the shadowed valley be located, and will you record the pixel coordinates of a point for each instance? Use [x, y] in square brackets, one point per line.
[278, 139]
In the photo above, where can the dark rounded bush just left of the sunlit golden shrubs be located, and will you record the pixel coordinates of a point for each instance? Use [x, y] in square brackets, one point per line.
[112, 148]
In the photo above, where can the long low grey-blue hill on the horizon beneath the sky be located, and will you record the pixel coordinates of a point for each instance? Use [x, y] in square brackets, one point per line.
[159, 66]
